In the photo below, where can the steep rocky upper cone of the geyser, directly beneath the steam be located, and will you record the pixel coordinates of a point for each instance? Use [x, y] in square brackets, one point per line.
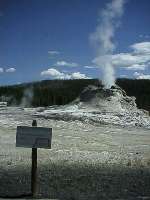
[113, 99]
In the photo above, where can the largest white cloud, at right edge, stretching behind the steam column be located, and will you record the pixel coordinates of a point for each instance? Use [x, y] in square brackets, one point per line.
[137, 59]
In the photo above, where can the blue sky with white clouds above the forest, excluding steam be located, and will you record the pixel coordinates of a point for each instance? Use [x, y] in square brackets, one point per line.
[47, 39]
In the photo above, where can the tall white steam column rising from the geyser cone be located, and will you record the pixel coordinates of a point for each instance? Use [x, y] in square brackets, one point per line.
[103, 39]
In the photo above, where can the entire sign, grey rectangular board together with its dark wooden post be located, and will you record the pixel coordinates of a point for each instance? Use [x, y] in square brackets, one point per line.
[33, 137]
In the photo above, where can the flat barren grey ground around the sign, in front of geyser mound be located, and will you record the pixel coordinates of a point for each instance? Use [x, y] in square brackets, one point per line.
[86, 161]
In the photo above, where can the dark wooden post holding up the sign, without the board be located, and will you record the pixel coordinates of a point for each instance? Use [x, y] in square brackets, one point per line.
[34, 168]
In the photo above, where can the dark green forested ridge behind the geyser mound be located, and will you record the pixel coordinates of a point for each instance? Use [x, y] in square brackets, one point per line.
[60, 92]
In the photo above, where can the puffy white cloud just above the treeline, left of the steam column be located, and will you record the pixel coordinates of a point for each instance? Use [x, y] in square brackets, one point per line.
[54, 73]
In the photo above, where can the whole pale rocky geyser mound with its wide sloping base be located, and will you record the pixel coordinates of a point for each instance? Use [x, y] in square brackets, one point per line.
[99, 105]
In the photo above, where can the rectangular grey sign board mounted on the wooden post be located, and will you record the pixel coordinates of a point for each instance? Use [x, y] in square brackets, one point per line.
[33, 137]
